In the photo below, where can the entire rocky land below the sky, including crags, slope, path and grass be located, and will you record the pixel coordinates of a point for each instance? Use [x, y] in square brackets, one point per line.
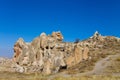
[95, 58]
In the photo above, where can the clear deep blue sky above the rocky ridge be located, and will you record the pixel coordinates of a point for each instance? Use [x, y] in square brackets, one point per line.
[74, 18]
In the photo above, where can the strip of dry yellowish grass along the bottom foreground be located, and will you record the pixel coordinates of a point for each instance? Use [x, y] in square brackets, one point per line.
[36, 76]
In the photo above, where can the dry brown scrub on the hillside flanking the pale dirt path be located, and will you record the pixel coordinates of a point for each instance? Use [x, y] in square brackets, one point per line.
[110, 48]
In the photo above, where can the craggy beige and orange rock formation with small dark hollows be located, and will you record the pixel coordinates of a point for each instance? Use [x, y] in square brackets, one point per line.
[49, 54]
